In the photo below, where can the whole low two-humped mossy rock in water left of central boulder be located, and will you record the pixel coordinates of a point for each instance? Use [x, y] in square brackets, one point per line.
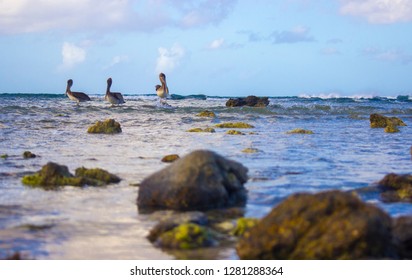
[53, 175]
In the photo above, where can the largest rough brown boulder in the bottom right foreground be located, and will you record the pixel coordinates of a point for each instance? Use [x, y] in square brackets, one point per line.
[329, 225]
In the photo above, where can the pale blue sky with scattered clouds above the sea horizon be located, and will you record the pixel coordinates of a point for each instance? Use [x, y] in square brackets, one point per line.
[211, 47]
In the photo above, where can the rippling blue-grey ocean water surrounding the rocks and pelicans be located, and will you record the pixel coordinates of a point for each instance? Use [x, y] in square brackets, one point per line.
[343, 153]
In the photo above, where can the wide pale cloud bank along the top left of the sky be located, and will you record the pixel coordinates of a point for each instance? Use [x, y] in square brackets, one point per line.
[28, 16]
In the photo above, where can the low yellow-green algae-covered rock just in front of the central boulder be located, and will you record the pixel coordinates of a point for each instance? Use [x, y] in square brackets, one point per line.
[186, 236]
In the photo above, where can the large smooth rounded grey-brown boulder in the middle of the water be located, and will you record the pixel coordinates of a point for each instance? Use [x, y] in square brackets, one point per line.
[199, 181]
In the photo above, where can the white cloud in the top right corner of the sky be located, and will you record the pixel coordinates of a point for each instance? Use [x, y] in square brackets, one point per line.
[378, 11]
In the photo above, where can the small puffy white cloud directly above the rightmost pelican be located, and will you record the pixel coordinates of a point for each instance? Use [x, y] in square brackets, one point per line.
[169, 59]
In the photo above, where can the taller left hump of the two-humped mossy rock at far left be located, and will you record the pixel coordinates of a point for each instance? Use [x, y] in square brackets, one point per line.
[52, 175]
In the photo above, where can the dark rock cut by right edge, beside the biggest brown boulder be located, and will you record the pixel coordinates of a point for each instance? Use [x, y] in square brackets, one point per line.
[402, 232]
